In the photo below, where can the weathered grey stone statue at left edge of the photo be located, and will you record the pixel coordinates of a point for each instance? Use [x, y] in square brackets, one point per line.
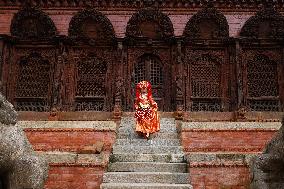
[20, 166]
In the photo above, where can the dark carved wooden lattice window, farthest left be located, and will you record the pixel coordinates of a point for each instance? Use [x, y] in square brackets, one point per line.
[32, 86]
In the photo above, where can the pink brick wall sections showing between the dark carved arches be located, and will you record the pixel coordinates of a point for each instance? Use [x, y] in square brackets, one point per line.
[119, 19]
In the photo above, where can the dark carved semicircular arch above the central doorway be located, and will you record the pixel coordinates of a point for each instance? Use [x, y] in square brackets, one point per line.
[149, 23]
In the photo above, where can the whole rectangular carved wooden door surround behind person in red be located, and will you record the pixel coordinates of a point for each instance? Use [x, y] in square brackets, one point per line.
[161, 70]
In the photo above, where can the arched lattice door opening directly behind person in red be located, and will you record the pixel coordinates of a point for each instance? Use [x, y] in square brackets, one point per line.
[149, 68]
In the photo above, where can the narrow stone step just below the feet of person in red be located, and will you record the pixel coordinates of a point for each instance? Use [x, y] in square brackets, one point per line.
[152, 142]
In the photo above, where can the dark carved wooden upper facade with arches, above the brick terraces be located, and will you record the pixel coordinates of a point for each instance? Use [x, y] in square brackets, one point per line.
[197, 55]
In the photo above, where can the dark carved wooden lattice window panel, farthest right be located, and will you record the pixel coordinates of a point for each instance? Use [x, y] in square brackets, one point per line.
[262, 88]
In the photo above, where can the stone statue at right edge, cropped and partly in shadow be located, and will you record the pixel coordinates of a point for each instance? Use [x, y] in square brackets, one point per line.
[267, 168]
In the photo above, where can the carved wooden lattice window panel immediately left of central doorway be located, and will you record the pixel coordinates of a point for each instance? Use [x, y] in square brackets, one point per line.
[93, 79]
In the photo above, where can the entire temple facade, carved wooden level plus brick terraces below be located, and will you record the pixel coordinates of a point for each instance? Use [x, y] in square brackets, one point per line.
[207, 61]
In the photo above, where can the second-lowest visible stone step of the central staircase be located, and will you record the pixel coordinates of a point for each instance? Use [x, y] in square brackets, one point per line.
[146, 177]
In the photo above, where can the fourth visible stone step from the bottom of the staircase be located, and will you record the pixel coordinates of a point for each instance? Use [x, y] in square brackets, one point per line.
[166, 158]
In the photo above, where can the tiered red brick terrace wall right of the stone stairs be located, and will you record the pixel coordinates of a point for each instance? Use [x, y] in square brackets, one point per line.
[219, 153]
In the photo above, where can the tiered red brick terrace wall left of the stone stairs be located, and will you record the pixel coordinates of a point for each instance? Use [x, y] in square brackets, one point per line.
[77, 151]
